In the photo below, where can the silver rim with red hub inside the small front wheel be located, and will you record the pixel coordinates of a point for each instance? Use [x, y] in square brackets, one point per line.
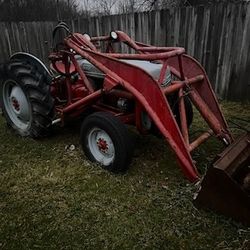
[101, 146]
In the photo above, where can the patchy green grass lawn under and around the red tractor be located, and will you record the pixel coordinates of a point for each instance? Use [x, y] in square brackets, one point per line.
[53, 198]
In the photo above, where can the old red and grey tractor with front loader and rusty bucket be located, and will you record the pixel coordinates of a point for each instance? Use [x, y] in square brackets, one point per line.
[153, 89]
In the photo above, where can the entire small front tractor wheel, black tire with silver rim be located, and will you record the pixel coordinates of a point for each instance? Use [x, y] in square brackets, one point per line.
[105, 140]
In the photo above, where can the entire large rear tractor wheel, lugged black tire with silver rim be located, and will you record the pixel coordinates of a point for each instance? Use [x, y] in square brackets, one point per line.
[25, 99]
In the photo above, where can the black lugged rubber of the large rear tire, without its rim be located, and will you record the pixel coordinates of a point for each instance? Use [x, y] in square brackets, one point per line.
[37, 90]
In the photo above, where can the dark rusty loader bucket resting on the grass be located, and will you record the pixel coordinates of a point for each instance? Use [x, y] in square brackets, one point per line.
[226, 186]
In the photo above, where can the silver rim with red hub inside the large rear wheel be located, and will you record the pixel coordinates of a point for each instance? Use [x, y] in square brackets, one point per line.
[16, 105]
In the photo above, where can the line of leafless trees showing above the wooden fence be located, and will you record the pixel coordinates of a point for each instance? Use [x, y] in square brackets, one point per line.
[47, 10]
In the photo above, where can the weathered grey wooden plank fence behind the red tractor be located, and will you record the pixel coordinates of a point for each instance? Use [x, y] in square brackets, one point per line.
[217, 35]
